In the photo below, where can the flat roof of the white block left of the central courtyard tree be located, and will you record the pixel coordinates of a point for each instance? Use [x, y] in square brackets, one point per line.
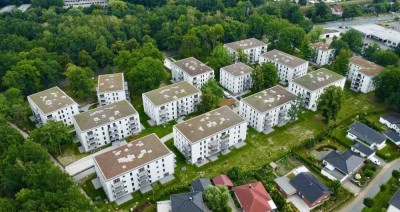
[170, 93]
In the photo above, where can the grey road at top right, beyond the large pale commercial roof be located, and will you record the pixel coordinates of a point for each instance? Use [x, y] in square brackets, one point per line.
[357, 21]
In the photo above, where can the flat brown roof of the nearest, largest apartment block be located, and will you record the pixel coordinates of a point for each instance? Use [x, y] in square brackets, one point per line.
[130, 156]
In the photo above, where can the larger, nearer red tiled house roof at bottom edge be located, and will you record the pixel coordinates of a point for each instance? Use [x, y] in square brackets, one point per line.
[253, 197]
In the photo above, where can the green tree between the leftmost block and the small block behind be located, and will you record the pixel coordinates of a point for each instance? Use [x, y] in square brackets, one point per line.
[80, 81]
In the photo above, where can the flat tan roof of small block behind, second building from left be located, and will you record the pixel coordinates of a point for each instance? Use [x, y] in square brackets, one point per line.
[110, 82]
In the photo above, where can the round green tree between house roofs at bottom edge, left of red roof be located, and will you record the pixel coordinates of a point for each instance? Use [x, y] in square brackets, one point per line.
[216, 197]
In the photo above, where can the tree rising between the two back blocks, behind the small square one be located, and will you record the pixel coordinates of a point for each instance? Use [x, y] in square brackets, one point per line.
[219, 58]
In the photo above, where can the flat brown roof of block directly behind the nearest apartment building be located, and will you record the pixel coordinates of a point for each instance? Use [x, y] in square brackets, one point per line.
[103, 115]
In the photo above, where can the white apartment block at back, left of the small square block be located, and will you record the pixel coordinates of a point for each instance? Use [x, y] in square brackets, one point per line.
[191, 70]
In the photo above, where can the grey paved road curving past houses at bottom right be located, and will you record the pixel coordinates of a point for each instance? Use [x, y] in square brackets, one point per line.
[373, 187]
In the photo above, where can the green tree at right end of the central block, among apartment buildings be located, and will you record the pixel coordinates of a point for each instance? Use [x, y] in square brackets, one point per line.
[210, 97]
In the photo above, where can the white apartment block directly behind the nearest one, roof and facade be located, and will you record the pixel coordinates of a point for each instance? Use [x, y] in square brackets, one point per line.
[106, 124]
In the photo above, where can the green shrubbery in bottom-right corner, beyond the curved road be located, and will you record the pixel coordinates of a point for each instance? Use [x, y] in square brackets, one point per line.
[382, 198]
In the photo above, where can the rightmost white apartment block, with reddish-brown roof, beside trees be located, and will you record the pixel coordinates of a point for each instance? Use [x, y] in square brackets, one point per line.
[361, 73]
